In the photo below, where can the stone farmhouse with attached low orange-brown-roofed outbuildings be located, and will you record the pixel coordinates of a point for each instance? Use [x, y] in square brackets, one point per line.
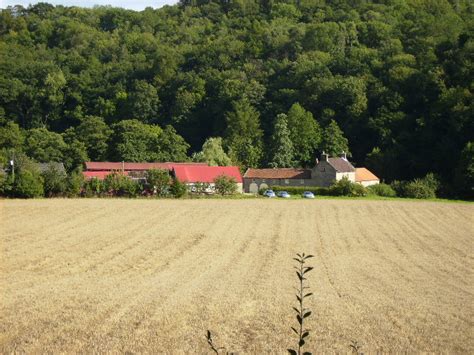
[324, 173]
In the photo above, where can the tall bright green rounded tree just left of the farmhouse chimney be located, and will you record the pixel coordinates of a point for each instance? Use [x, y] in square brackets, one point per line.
[305, 134]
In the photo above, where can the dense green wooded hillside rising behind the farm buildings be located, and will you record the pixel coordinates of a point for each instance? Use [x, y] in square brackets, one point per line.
[389, 81]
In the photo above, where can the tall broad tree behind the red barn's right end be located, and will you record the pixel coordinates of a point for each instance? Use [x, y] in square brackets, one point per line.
[244, 136]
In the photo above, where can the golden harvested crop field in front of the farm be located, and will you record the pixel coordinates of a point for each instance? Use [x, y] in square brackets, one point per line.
[153, 275]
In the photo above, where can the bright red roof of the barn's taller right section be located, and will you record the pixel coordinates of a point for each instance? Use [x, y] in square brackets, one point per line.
[204, 173]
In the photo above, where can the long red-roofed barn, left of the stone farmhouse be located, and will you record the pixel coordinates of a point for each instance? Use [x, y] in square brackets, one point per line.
[188, 173]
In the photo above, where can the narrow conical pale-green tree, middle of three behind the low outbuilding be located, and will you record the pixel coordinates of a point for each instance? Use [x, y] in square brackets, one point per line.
[282, 151]
